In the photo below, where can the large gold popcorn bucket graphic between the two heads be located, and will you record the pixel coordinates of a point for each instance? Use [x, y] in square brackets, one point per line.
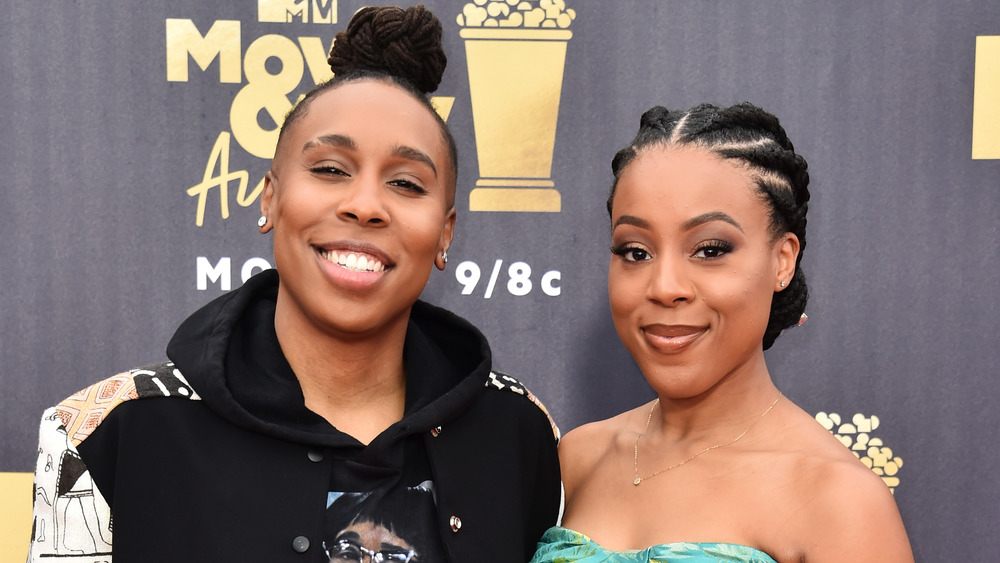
[516, 53]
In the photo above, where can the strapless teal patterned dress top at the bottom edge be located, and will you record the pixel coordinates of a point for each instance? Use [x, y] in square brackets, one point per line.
[562, 545]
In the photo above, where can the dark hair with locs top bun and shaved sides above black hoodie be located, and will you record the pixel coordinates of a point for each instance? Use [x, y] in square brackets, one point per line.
[394, 45]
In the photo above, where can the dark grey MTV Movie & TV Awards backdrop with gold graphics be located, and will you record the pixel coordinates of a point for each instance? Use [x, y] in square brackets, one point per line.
[135, 140]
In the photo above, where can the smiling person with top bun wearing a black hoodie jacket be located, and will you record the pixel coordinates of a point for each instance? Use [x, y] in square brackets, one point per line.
[320, 412]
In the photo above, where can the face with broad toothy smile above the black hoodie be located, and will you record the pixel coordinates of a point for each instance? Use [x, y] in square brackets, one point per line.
[359, 199]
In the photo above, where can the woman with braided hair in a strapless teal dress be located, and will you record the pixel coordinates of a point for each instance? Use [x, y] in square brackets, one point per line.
[708, 225]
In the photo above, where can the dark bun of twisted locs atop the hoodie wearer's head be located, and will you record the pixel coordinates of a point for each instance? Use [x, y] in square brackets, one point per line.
[403, 43]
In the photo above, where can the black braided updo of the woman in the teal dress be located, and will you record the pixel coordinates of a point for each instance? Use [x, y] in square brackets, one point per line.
[746, 133]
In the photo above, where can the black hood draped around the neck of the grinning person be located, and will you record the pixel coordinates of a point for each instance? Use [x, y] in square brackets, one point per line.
[229, 353]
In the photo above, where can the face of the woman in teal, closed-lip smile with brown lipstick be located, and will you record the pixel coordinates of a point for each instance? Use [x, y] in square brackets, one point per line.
[694, 268]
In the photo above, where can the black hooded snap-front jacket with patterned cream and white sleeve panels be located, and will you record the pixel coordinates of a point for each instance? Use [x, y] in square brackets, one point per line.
[222, 478]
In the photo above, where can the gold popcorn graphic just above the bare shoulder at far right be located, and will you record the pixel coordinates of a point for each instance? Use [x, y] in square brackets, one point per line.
[856, 436]
